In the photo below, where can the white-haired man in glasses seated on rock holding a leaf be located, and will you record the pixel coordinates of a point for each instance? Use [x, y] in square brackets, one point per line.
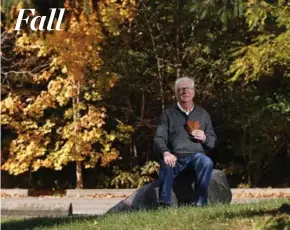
[183, 146]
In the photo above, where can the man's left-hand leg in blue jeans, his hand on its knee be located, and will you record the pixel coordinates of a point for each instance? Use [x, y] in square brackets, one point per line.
[166, 177]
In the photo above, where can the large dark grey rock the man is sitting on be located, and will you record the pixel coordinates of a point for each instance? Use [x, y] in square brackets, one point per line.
[182, 192]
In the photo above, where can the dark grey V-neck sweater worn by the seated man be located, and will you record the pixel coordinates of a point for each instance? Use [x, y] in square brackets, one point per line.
[171, 134]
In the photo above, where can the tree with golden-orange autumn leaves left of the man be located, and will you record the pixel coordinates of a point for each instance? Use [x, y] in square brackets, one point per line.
[63, 120]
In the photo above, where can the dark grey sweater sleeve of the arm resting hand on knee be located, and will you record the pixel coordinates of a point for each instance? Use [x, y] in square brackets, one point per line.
[161, 136]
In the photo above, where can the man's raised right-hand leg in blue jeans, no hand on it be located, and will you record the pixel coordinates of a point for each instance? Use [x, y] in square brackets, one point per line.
[203, 167]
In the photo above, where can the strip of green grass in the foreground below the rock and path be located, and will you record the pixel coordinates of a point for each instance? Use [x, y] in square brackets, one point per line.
[235, 216]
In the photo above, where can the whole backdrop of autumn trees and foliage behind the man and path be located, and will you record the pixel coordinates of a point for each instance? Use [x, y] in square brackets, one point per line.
[85, 100]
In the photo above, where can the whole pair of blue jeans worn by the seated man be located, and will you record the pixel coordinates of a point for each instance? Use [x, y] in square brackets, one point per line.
[202, 166]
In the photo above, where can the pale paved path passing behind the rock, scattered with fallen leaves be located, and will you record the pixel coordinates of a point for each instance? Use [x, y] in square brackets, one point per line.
[81, 204]
